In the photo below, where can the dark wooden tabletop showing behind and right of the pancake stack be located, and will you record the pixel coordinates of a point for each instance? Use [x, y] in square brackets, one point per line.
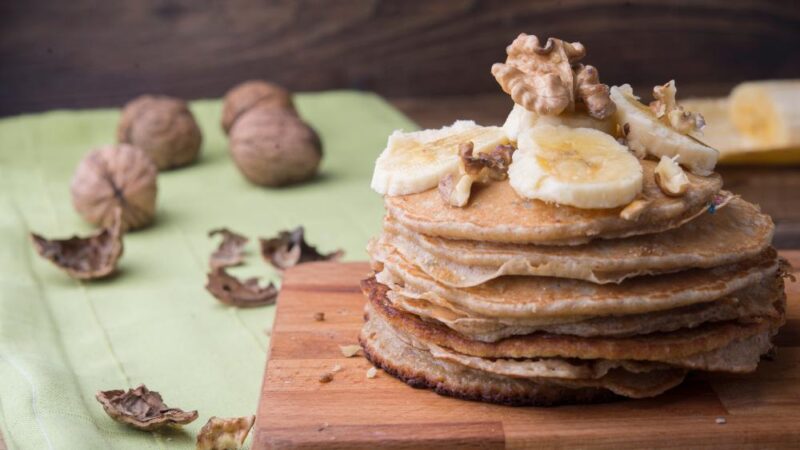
[776, 189]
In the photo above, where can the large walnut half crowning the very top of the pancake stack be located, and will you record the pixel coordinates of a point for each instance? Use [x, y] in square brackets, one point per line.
[548, 80]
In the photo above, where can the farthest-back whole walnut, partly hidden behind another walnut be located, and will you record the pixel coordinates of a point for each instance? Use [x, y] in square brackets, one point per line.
[251, 94]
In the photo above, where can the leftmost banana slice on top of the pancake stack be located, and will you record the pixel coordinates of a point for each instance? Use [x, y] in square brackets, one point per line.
[415, 162]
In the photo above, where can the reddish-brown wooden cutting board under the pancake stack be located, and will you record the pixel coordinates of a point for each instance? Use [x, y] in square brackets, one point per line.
[762, 410]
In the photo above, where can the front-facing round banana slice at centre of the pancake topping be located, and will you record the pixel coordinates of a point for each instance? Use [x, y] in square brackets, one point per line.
[581, 167]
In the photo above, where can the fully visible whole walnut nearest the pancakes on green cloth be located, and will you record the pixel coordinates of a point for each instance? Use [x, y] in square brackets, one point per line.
[274, 147]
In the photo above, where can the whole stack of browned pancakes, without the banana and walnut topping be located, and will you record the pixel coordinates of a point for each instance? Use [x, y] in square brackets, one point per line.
[522, 302]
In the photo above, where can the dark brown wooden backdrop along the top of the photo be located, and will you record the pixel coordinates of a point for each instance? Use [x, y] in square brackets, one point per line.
[88, 53]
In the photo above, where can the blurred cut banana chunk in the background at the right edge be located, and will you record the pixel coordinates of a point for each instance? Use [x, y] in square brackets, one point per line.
[766, 112]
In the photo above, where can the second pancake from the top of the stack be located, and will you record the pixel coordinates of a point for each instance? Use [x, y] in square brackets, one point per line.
[734, 233]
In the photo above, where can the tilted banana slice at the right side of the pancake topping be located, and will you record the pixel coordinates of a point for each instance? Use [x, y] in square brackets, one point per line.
[646, 134]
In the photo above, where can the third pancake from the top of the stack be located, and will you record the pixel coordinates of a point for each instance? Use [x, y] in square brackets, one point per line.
[526, 297]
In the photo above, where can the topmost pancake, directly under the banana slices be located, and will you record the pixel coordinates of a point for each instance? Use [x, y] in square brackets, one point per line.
[496, 213]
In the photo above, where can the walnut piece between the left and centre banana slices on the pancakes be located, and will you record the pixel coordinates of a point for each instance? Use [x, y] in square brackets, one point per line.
[484, 167]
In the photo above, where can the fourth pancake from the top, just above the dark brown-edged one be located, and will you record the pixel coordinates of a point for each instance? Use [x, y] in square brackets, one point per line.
[743, 306]
